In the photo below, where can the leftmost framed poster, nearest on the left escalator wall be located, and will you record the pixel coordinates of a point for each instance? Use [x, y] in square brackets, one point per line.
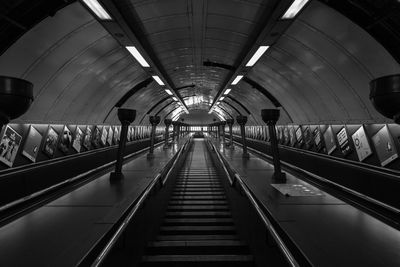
[9, 145]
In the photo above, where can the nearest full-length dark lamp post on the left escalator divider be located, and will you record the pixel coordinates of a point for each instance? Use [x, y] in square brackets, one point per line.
[126, 116]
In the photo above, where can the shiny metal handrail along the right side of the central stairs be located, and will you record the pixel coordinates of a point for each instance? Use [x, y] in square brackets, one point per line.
[281, 245]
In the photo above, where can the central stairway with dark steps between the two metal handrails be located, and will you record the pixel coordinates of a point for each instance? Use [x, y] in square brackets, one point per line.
[198, 229]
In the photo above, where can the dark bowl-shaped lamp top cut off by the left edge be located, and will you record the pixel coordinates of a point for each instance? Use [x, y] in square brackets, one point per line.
[16, 98]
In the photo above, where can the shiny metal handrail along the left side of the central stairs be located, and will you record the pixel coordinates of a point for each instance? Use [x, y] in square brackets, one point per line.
[110, 244]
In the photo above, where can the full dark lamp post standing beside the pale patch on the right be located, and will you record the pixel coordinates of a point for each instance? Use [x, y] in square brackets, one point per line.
[270, 117]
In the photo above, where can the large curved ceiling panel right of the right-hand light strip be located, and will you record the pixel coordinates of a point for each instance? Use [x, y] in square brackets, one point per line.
[321, 73]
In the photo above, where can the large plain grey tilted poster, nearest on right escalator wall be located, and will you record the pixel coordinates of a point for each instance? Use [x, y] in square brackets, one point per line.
[384, 145]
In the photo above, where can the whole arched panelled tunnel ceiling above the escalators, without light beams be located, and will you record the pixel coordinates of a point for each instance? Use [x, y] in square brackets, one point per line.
[318, 70]
